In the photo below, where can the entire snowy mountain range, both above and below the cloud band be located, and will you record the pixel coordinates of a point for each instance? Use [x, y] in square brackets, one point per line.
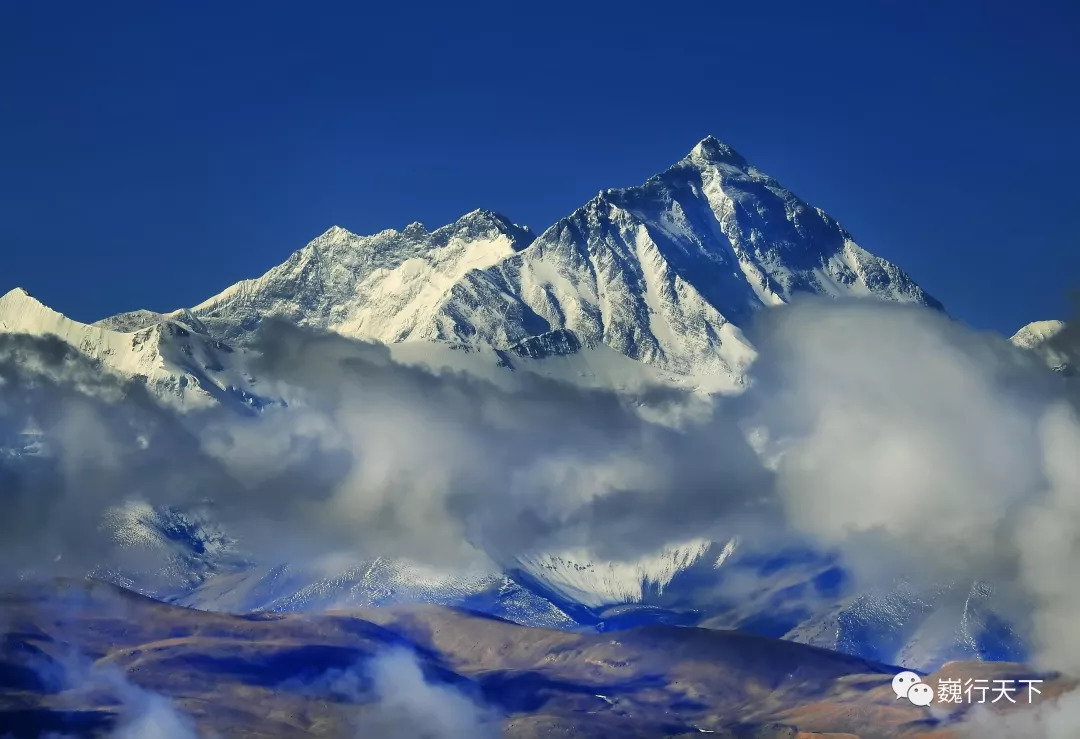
[643, 286]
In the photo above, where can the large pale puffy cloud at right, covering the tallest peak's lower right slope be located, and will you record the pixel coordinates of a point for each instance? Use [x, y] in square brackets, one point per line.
[926, 451]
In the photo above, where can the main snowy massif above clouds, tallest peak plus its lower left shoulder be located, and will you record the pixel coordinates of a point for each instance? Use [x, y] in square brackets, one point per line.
[666, 274]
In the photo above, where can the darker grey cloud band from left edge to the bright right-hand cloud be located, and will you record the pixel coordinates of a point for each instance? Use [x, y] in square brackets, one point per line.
[380, 459]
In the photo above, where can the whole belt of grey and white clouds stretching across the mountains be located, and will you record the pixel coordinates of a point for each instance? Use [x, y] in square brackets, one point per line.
[911, 446]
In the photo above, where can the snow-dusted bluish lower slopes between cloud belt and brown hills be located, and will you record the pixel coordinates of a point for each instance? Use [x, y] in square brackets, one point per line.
[798, 596]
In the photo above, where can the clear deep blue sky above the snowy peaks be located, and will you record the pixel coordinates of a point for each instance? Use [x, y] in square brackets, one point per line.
[154, 153]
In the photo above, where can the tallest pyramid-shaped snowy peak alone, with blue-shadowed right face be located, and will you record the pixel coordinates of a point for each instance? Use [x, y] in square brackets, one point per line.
[668, 273]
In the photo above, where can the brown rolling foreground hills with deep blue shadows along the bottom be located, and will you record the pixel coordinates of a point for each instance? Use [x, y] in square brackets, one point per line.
[85, 657]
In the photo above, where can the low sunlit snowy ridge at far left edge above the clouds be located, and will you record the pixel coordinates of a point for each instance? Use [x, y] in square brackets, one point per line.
[182, 367]
